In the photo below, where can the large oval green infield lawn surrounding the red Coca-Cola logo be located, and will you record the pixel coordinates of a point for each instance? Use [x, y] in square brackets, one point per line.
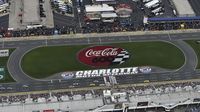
[45, 61]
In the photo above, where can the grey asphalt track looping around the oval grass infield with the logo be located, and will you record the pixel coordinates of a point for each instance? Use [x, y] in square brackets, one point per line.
[26, 83]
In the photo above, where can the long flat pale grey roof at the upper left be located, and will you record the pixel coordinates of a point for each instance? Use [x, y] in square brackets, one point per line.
[31, 12]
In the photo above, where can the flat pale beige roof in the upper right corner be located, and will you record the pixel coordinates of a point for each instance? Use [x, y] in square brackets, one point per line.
[183, 8]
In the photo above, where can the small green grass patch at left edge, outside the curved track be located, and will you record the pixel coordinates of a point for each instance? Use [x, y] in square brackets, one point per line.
[3, 63]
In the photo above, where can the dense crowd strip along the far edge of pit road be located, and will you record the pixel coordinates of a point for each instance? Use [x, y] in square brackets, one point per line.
[98, 27]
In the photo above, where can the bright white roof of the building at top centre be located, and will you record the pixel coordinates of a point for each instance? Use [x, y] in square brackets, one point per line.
[98, 8]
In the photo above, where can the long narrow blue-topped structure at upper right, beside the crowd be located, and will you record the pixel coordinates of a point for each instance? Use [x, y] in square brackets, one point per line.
[173, 19]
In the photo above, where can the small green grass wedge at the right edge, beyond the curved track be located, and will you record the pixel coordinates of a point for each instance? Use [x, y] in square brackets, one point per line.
[196, 46]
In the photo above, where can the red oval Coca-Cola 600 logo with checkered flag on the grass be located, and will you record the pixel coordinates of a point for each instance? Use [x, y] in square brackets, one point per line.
[100, 56]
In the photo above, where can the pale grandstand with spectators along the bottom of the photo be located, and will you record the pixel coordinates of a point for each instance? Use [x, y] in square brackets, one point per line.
[177, 97]
